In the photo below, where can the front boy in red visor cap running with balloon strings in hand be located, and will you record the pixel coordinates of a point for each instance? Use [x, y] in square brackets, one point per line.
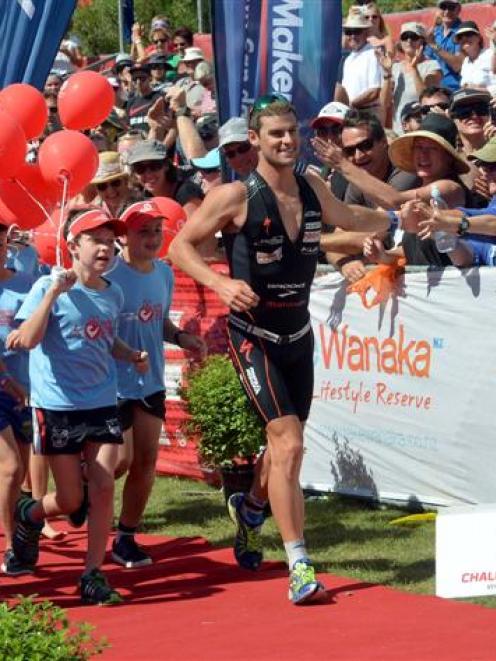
[69, 323]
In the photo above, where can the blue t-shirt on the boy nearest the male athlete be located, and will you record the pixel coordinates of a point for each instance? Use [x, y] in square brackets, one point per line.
[147, 298]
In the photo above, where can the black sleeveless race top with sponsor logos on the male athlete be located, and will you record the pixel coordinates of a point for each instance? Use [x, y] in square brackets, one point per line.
[278, 270]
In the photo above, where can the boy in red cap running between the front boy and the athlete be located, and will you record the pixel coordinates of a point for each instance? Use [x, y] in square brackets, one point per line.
[147, 284]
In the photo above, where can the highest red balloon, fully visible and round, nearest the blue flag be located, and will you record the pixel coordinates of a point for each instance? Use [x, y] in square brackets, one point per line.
[85, 100]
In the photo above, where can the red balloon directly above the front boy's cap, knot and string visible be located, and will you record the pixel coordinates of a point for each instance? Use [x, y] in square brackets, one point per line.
[68, 155]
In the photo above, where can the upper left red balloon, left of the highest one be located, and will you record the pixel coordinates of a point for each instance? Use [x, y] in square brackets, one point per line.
[27, 105]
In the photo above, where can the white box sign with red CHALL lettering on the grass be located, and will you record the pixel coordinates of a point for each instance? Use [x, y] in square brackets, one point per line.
[466, 551]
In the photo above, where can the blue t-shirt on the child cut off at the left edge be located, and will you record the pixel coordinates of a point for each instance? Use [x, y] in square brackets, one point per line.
[12, 294]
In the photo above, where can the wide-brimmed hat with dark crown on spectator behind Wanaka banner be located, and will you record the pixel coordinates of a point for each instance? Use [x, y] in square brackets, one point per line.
[436, 127]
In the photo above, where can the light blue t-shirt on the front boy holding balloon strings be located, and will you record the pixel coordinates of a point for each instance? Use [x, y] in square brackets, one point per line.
[72, 367]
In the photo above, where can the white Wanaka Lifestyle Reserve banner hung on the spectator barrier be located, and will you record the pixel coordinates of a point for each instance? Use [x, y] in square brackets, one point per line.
[404, 393]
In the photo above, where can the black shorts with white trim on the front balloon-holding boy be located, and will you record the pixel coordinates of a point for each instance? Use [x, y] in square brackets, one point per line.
[66, 432]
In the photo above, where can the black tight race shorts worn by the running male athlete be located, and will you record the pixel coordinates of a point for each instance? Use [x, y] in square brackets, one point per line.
[278, 379]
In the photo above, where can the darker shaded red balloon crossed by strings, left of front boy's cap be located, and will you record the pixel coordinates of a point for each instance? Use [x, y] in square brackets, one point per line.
[17, 195]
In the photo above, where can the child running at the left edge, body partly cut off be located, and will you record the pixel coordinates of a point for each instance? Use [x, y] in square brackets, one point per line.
[15, 416]
